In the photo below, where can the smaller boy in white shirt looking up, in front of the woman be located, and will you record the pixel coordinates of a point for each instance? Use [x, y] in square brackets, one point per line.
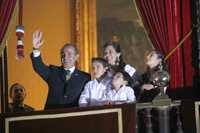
[120, 92]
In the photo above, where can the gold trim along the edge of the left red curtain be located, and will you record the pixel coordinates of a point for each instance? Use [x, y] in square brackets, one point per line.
[11, 23]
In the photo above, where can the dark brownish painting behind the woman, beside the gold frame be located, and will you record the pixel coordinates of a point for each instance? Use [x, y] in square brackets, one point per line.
[120, 18]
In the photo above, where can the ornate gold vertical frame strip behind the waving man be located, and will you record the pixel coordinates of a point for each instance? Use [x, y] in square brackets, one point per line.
[85, 32]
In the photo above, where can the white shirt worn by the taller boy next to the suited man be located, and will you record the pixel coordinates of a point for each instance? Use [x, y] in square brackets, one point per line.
[94, 92]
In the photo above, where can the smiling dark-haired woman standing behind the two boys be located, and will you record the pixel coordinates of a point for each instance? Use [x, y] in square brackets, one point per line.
[113, 54]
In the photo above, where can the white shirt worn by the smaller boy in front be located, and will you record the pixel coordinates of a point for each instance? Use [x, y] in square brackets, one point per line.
[124, 95]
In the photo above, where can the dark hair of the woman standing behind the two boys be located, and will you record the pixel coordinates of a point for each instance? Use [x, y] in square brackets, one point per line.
[117, 48]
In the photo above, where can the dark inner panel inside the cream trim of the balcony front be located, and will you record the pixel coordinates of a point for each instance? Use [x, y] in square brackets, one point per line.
[98, 123]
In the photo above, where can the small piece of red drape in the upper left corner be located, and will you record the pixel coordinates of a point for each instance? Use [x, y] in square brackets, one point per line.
[6, 10]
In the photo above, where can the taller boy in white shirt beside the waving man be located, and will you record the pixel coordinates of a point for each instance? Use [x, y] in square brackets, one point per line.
[94, 90]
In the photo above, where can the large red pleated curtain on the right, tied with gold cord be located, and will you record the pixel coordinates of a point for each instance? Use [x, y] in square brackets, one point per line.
[167, 22]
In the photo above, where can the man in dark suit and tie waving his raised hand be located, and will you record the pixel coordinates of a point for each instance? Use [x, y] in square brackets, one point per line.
[65, 82]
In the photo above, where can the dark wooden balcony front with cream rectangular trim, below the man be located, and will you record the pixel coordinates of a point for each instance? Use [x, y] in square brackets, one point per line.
[105, 119]
